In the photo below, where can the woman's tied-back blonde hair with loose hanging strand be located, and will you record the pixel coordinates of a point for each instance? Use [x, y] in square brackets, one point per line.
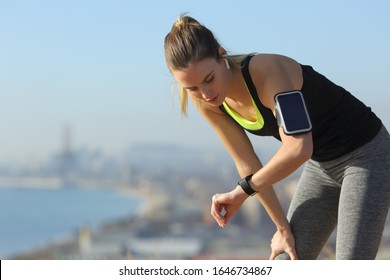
[189, 42]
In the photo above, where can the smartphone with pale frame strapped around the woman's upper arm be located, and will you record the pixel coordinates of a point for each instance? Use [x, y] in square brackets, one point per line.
[291, 113]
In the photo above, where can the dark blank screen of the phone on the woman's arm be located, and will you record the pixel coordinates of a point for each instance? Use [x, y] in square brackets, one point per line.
[294, 112]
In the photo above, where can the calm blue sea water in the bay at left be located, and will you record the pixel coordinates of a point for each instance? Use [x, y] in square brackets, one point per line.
[33, 217]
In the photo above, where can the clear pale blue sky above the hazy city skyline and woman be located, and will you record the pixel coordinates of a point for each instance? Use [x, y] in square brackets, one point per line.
[98, 66]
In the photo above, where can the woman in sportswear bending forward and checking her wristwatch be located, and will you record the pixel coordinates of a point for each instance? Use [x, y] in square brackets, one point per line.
[346, 180]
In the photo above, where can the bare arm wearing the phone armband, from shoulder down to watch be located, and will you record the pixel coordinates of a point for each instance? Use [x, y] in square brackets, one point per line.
[273, 74]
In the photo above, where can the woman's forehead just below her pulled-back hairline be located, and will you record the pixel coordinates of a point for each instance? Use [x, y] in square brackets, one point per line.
[195, 73]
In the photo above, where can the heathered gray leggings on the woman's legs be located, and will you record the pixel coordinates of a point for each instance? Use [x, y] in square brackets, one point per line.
[352, 192]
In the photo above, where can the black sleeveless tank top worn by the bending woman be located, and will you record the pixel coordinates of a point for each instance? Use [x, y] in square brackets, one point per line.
[341, 123]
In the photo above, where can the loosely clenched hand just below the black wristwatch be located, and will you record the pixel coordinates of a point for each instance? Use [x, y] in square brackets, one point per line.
[225, 205]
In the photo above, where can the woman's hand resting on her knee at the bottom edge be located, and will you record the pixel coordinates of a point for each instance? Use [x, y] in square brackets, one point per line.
[283, 241]
